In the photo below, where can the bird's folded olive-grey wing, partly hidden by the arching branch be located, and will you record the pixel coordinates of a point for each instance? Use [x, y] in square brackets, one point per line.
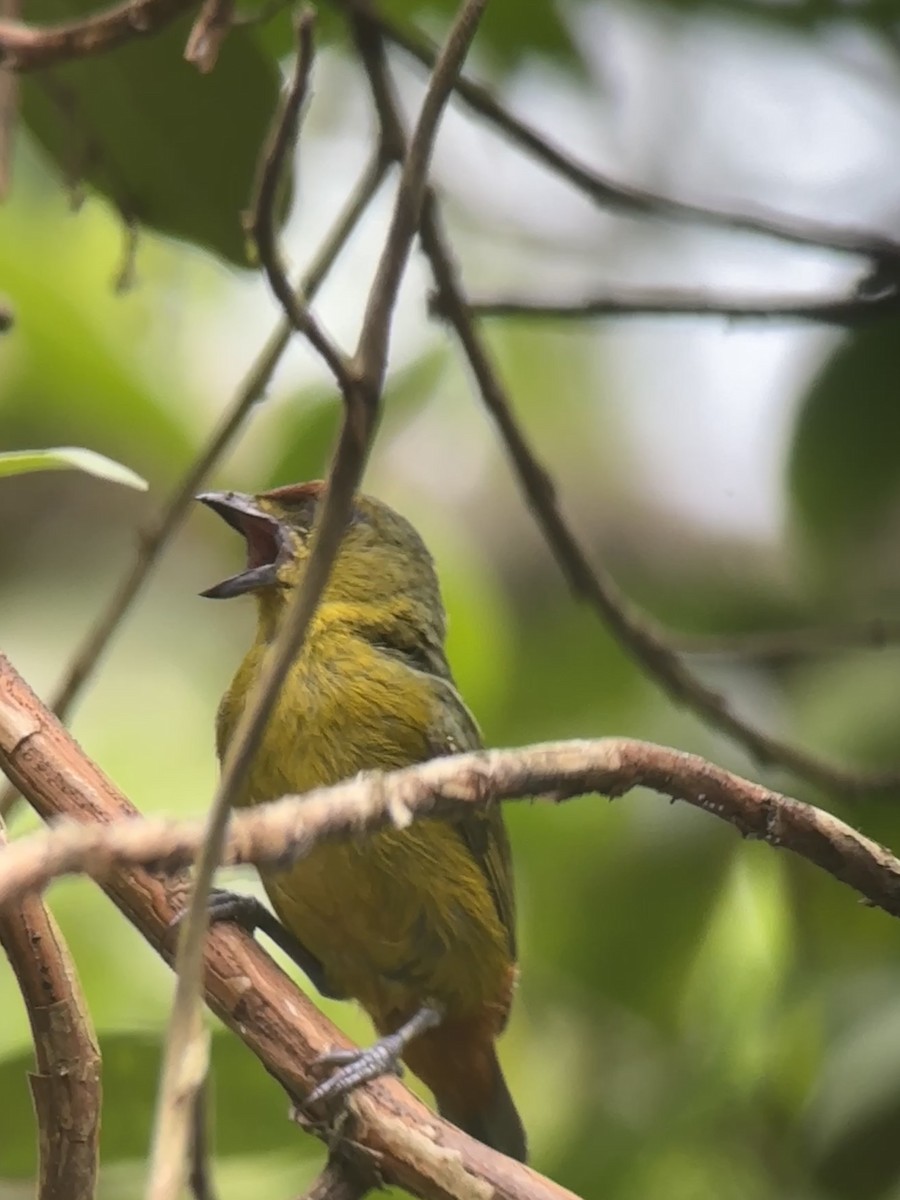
[484, 832]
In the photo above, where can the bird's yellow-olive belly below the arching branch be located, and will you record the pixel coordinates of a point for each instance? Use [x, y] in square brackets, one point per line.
[399, 919]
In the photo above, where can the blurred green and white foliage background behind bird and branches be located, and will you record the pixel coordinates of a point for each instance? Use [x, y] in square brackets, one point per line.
[698, 1016]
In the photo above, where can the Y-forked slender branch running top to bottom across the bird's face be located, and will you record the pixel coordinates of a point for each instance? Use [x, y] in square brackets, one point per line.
[361, 382]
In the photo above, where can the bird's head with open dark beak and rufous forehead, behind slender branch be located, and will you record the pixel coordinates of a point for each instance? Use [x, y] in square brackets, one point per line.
[382, 563]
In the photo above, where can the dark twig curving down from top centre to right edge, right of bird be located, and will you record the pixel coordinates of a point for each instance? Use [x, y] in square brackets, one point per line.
[647, 645]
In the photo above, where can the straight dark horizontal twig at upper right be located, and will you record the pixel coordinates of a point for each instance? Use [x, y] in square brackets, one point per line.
[854, 309]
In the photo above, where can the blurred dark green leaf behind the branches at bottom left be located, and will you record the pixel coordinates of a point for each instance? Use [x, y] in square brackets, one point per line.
[249, 1112]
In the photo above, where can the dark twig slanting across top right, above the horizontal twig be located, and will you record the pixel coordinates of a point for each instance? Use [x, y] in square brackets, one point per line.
[609, 193]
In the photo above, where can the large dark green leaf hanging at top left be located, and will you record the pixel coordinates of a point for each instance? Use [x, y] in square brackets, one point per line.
[170, 147]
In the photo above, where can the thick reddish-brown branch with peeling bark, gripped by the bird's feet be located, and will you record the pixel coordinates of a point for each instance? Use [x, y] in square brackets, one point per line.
[394, 1133]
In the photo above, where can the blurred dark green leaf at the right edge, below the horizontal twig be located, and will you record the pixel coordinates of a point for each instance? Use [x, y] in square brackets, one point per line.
[845, 467]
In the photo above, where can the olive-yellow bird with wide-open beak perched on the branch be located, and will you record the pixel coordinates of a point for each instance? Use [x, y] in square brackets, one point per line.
[418, 926]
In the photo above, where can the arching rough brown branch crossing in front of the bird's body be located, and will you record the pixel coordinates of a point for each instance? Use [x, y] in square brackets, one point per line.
[287, 830]
